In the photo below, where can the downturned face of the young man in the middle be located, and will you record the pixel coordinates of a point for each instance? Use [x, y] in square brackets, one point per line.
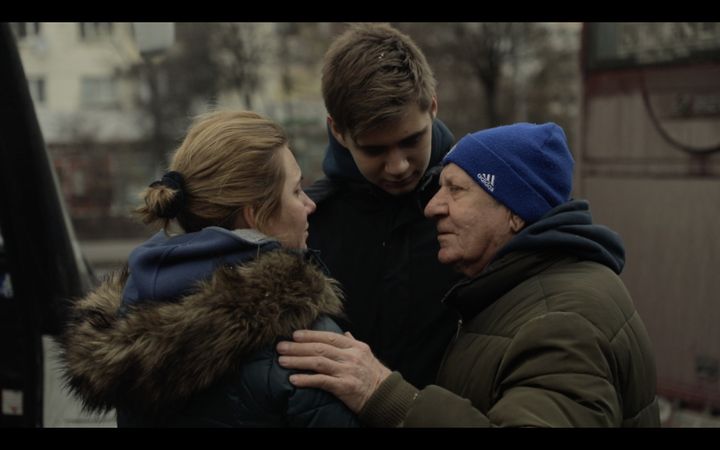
[395, 155]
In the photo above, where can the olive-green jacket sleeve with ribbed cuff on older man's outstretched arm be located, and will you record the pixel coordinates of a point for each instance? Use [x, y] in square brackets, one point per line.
[558, 371]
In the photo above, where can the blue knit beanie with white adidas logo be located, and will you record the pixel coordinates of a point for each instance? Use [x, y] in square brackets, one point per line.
[526, 167]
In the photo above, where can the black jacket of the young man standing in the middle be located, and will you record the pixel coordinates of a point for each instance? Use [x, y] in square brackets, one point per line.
[383, 251]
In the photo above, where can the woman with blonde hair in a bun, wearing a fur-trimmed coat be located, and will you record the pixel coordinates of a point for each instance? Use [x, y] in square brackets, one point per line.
[185, 334]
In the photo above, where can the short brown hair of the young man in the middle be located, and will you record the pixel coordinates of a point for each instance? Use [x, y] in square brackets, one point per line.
[370, 74]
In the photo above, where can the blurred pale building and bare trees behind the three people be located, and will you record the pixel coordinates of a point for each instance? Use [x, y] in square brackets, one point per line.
[110, 116]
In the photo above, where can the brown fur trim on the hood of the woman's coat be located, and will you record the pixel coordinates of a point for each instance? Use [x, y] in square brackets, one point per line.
[158, 354]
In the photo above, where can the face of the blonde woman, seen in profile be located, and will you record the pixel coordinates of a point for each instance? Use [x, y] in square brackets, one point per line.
[289, 225]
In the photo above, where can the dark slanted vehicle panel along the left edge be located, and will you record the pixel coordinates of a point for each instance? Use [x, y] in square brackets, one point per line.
[39, 259]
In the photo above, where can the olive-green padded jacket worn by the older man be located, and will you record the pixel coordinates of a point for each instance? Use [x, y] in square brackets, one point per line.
[548, 340]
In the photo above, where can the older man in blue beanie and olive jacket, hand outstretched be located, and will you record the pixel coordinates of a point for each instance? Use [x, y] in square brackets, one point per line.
[549, 335]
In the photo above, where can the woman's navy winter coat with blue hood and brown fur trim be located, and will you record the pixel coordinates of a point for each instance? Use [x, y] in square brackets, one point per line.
[187, 337]
